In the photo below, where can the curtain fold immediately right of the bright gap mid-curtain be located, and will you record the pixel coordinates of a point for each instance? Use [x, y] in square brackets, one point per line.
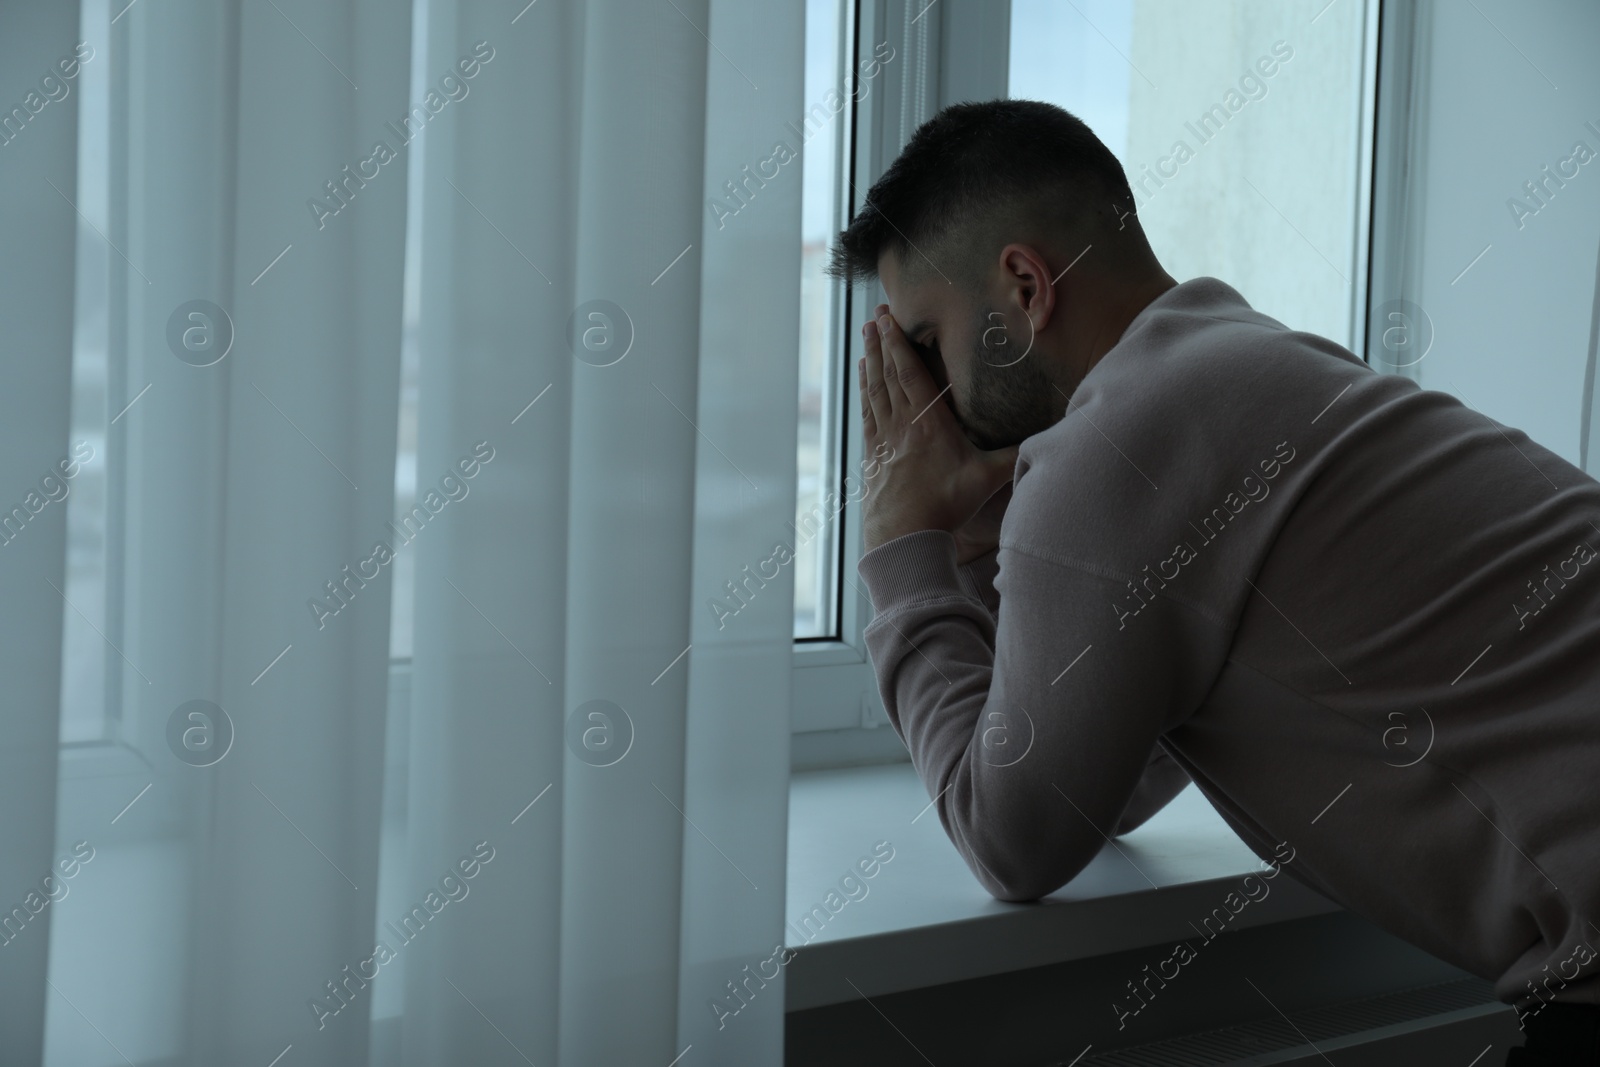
[489, 661]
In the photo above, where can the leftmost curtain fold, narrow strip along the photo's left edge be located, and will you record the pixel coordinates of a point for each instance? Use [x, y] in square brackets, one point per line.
[38, 230]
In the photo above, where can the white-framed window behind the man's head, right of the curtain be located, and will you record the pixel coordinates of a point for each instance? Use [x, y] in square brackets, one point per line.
[1244, 129]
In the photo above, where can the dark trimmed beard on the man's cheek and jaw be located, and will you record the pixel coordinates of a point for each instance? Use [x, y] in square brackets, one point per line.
[1012, 398]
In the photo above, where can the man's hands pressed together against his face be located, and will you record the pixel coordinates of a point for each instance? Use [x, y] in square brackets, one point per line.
[935, 478]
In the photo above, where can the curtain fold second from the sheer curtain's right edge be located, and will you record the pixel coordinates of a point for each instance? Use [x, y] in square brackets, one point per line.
[631, 519]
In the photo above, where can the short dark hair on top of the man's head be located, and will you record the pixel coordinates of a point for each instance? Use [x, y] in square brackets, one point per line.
[972, 170]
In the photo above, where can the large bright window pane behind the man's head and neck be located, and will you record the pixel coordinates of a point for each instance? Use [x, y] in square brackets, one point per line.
[1239, 127]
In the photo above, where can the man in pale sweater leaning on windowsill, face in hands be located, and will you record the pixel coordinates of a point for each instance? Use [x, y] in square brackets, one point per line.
[1361, 617]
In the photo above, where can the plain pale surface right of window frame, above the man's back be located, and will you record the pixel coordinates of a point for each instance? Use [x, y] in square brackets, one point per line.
[1490, 287]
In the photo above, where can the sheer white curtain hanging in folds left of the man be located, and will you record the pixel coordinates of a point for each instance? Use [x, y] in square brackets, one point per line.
[596, 775]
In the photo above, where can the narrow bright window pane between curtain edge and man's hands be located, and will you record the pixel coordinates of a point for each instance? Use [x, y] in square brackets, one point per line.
[820, 436]
